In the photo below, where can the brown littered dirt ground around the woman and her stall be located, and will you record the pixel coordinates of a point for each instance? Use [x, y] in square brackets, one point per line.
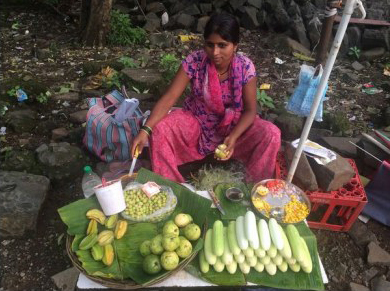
[29, 263]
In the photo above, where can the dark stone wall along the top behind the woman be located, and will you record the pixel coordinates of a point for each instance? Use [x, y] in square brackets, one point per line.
[300, 19]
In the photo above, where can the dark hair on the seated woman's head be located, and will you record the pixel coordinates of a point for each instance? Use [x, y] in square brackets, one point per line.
[225, 25]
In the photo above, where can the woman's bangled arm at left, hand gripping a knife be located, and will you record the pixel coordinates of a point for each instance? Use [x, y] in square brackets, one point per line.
[163, 105]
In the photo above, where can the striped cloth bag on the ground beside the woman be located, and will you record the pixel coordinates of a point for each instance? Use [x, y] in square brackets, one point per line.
[106, 137]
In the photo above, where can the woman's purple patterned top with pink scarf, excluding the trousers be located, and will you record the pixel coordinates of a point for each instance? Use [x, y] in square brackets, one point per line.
[216, 122]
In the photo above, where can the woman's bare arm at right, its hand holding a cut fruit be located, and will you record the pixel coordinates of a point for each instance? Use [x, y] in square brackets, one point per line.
[247, 117]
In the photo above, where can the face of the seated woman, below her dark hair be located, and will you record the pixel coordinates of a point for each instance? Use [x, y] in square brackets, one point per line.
[219, 50]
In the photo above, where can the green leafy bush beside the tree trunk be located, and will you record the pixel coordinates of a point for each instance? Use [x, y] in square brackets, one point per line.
[121, 31]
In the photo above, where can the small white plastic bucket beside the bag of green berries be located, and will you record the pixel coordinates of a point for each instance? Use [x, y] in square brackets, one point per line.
[111, 197]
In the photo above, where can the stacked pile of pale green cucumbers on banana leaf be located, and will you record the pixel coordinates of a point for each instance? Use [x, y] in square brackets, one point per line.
[247, 243]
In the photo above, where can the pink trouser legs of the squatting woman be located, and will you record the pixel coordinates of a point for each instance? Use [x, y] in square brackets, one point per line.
[175, 142]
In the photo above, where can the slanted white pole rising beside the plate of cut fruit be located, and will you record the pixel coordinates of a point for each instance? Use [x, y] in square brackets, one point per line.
[348, 10]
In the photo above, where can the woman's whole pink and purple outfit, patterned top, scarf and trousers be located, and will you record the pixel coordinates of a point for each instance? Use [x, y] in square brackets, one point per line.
[191, 133]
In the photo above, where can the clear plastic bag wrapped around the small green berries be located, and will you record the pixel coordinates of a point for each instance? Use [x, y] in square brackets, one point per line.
[159, 214]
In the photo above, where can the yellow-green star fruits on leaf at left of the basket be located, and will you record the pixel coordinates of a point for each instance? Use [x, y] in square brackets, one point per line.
[100, 243]
